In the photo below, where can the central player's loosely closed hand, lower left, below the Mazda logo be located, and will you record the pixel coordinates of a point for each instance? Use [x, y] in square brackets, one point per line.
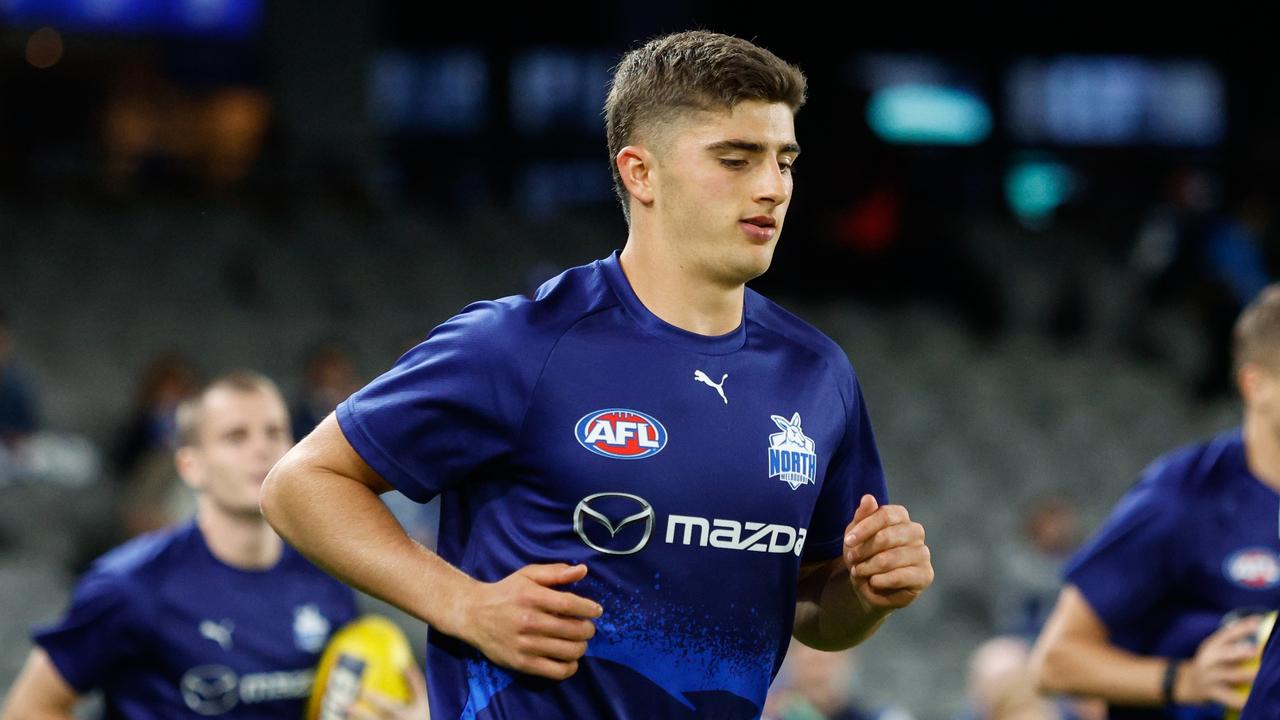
[523, 625]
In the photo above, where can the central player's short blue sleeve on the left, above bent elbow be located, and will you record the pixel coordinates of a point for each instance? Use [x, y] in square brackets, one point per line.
[450, 407]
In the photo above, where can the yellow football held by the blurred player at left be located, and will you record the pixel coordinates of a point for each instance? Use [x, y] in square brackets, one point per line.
[369, 653]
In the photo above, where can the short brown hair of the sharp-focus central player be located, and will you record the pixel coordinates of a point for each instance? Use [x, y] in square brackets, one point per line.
[685, 72]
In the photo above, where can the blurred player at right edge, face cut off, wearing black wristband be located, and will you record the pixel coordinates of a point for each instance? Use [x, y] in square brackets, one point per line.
[1149, 619]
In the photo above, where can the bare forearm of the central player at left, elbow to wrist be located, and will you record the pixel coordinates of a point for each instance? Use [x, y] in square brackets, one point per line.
[346, 530]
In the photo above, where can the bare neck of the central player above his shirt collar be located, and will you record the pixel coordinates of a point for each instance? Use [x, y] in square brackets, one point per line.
[678, 293]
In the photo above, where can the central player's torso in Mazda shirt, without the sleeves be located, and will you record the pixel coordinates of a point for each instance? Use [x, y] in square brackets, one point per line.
[687, 484]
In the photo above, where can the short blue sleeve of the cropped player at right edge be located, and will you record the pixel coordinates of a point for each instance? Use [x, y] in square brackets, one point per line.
[1123, 569]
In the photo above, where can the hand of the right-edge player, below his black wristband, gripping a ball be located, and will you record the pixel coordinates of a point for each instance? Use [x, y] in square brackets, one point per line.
[1217, 673]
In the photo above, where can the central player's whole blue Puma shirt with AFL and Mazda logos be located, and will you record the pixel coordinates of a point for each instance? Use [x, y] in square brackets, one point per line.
[693, 476]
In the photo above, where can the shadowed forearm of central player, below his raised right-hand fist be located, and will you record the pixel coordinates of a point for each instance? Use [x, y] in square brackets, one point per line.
[829, 614]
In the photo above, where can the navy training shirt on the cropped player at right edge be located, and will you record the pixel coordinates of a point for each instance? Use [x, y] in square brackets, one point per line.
[1194, 540]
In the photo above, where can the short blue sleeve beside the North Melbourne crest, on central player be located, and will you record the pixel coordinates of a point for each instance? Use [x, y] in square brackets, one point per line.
[854, 471]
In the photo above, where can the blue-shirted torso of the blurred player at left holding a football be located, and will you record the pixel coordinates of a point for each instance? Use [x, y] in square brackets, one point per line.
[223, 642]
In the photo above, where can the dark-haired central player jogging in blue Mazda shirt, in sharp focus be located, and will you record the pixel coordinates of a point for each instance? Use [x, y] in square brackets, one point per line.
[651, 476]
